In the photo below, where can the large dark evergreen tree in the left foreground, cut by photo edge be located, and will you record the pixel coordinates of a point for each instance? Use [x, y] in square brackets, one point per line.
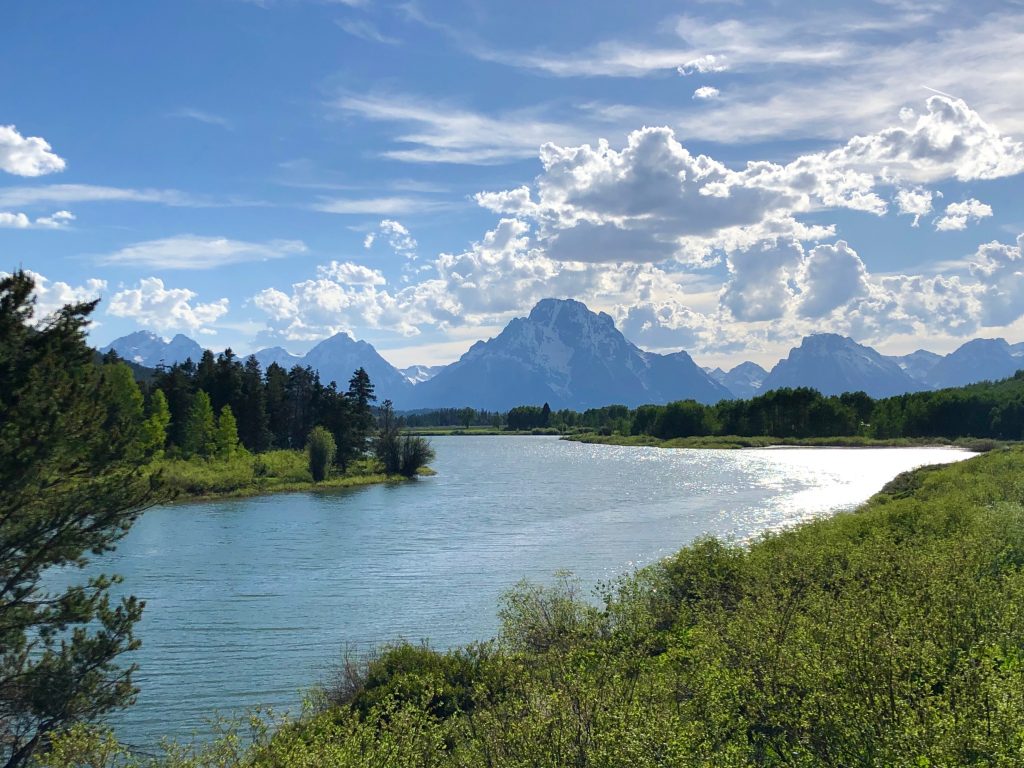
[70, 486]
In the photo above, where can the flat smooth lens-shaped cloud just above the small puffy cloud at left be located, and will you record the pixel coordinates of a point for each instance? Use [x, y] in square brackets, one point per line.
[196, 252]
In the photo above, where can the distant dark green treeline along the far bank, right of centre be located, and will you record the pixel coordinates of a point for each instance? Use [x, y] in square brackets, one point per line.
[989, 410]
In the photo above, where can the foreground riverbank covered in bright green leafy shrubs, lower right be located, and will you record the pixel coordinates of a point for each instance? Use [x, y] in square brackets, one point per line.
[889, 635]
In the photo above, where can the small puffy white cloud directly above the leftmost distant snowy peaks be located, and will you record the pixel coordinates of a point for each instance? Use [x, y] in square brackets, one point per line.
[151, 305]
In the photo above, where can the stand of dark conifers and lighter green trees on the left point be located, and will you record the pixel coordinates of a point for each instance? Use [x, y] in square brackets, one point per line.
[207, 409]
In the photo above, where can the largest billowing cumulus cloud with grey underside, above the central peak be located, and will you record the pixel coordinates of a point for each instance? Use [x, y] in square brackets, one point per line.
[654, 200]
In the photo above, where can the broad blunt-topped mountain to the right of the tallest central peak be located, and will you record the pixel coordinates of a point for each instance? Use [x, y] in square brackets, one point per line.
[834, 365]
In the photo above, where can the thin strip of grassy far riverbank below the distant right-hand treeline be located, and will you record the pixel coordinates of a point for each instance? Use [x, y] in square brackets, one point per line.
[737, 442]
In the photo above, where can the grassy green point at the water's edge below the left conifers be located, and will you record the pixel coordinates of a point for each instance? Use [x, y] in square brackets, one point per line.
[261, 475]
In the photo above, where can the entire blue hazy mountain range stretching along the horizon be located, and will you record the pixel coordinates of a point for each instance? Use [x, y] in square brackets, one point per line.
[565, 355]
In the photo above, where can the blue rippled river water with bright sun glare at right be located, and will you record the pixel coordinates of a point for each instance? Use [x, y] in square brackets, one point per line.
[251, 602]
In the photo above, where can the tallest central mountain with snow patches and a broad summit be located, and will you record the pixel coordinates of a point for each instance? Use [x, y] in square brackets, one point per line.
[568, 357]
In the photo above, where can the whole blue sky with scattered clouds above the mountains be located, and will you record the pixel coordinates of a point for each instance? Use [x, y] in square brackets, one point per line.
[720, 177]
